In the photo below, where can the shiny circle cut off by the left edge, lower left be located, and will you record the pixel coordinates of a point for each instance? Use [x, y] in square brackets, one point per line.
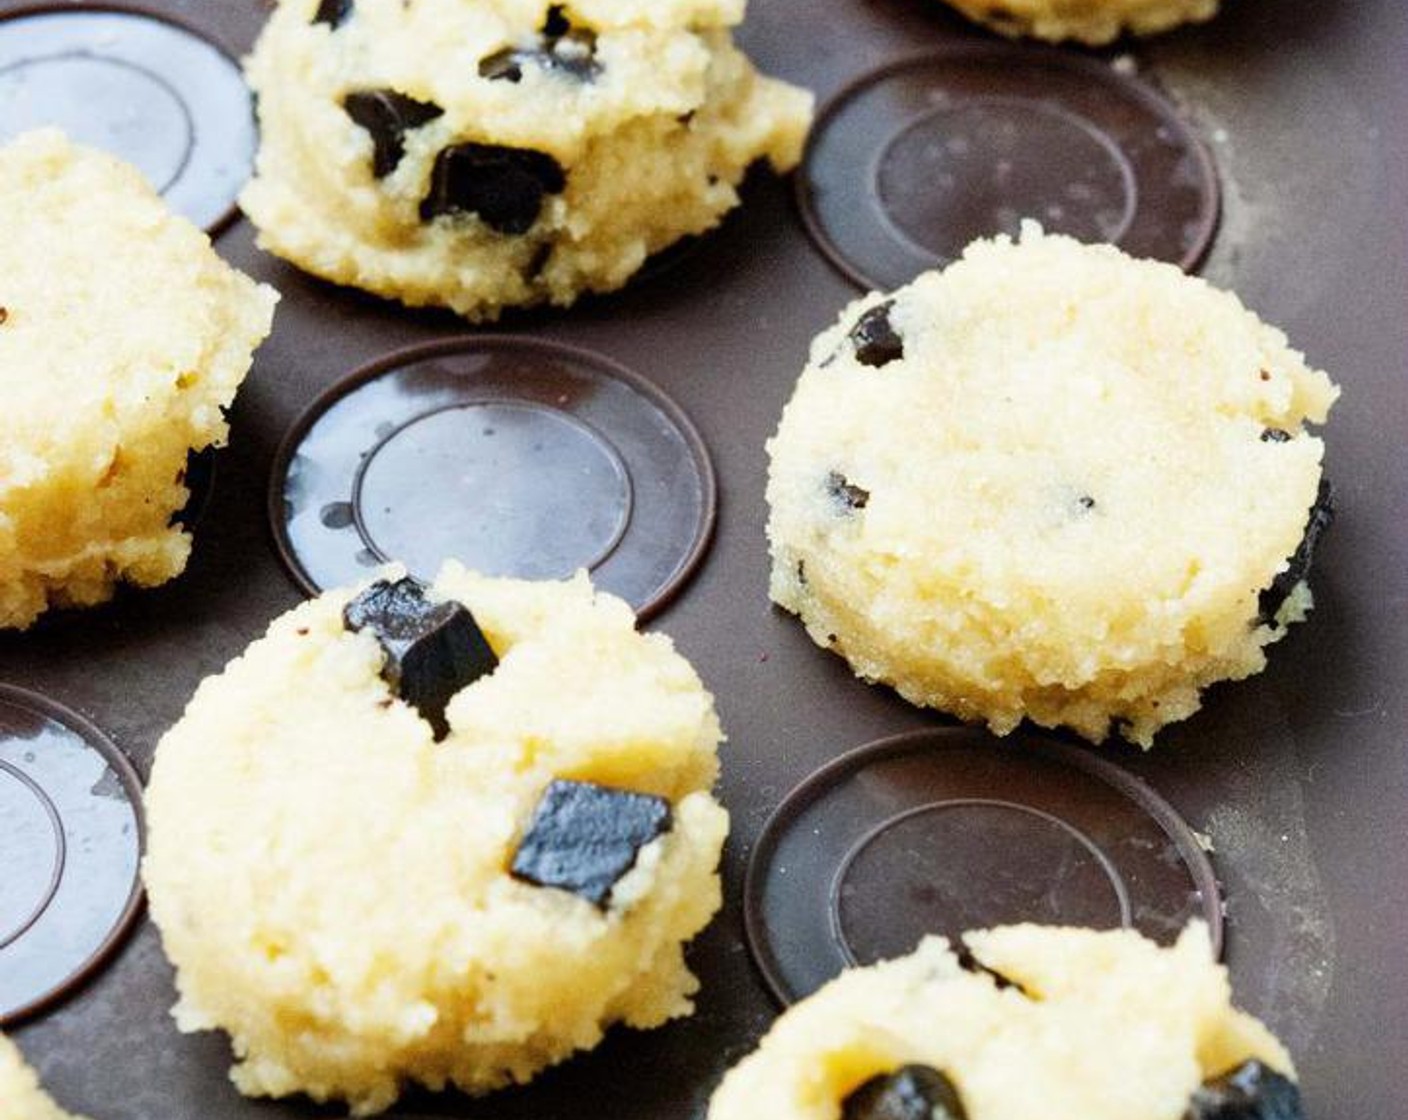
[71, 839]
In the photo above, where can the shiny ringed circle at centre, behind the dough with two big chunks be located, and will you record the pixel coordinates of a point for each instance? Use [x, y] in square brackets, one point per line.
[516, 457]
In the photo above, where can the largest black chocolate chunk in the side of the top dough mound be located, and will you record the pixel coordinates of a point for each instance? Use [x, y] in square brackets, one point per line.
[503, 187]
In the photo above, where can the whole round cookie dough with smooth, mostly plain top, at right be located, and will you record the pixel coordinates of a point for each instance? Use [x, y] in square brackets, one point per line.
[1050, 483]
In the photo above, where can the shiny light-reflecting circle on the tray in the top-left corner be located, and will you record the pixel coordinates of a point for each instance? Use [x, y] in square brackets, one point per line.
[139, 87]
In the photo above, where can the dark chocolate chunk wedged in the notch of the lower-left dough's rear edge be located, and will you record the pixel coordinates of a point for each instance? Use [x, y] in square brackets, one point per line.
[433, 650]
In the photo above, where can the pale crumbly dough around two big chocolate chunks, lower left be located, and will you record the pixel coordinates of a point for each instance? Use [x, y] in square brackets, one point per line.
[333, 885]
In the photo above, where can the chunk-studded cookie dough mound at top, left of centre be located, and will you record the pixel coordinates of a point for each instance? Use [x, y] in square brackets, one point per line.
[482, 154]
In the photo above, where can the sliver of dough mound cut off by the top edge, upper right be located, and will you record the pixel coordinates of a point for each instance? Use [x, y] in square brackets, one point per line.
[1090, 22]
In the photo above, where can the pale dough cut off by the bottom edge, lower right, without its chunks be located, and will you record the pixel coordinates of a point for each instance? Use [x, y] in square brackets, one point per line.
[1102, 1026]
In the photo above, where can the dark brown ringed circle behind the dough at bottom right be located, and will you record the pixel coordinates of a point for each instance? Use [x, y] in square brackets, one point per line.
[948, 830]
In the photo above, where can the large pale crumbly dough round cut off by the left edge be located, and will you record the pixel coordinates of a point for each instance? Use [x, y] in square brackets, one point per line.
[122, 339]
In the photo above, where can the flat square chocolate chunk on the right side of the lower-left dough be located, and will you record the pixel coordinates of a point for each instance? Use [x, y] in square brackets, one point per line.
[585, 838]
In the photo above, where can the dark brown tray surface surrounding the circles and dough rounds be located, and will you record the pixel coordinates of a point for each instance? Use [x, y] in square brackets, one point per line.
[1299, 778]
